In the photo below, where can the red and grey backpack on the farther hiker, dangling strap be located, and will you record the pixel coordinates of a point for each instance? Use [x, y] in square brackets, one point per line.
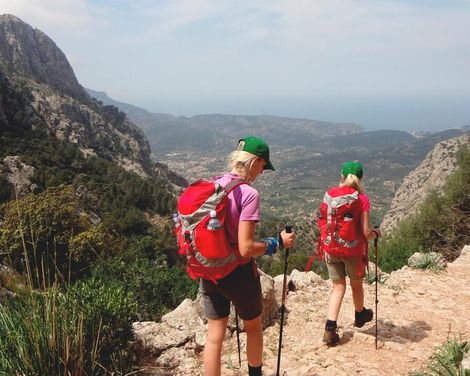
[339, 222]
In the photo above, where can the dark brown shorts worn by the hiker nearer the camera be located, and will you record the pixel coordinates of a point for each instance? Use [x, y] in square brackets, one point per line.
[242, 287]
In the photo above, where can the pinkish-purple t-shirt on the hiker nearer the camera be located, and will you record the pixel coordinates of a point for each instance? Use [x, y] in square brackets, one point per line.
[243, 204]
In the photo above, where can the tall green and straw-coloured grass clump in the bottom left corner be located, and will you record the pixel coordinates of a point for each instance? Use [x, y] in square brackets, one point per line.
[41, 335]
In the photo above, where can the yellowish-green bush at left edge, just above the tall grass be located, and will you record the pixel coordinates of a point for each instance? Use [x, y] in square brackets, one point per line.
[48, 237]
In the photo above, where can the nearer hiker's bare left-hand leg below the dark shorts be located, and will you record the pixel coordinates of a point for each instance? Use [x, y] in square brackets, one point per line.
[213, 347]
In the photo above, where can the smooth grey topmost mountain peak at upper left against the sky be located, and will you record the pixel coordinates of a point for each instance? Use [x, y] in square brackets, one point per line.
[30, 52]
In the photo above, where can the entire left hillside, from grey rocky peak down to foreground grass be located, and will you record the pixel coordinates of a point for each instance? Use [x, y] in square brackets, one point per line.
[86, 245]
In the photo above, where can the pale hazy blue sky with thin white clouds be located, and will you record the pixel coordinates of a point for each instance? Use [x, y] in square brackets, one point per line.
[262, 46]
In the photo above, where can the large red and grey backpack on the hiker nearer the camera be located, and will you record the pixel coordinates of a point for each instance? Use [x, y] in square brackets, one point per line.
[204, 240]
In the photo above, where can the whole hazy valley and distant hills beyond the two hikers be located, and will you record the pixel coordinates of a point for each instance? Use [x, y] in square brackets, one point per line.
[306, 154]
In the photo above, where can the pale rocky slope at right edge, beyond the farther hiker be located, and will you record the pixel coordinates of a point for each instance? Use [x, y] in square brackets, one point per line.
[431, 174]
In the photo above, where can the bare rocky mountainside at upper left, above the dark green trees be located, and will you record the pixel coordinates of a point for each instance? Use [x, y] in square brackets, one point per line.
[42, 93]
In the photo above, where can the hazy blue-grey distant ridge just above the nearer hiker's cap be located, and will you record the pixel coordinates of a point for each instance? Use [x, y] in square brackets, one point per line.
[215, 133]
